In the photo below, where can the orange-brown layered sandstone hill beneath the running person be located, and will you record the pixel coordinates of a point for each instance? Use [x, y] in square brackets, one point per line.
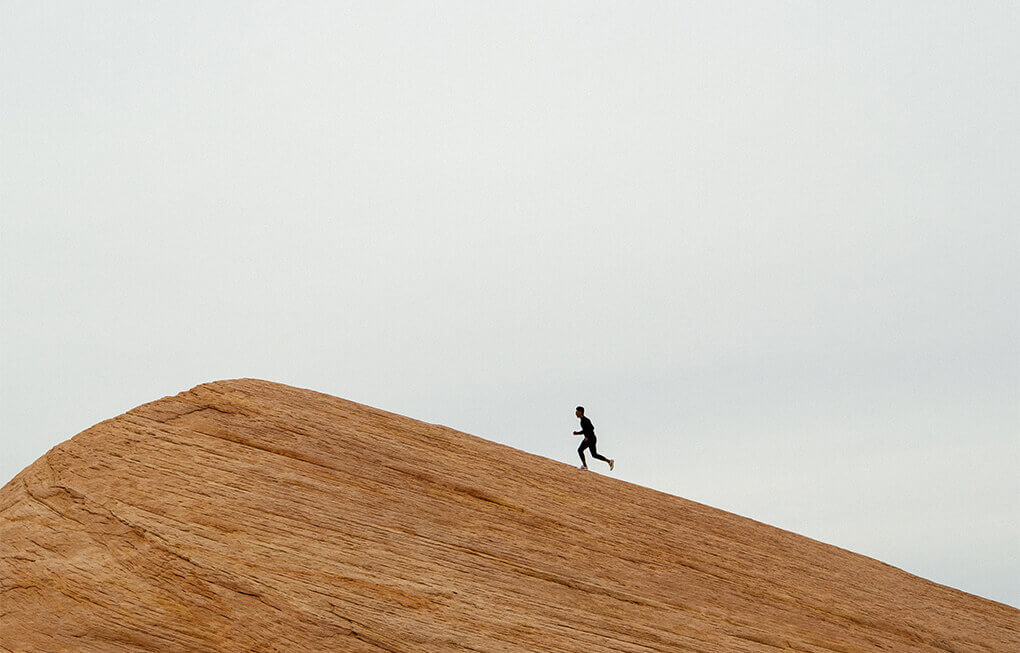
[245, 515]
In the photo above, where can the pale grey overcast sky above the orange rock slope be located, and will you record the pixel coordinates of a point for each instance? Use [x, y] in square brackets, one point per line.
[772, 247]
